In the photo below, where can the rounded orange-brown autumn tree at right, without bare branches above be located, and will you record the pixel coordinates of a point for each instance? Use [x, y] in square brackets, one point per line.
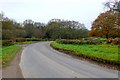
[106, 25]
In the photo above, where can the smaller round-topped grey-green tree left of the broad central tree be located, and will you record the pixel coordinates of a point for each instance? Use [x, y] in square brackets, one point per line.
[34, 29]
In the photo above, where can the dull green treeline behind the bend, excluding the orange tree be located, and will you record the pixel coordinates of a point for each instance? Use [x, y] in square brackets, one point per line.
[54, 29]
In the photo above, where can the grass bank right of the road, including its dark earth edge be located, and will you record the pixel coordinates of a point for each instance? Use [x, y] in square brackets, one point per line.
[106, 54]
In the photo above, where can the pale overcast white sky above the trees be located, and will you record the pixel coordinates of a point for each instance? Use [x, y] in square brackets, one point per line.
[84, 11]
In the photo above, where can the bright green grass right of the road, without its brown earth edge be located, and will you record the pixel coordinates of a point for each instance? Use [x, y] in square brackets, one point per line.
[107, 52]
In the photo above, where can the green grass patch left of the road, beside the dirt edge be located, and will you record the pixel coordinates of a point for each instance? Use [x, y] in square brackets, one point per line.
[8, 53]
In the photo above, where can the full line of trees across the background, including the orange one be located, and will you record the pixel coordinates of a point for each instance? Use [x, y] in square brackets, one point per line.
[106, 25]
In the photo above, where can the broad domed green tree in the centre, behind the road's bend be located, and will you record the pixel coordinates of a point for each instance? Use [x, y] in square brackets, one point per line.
[65, 29]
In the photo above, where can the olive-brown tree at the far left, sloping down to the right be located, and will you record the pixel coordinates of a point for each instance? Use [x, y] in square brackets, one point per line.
[11, 29]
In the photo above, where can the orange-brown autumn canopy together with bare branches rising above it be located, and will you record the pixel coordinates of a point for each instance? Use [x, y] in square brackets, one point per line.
[107, 24]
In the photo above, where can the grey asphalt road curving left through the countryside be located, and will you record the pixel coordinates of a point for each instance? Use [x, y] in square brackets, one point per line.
[39, 60]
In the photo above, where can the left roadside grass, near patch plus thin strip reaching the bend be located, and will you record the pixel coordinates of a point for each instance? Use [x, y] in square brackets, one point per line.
[7, 53]
